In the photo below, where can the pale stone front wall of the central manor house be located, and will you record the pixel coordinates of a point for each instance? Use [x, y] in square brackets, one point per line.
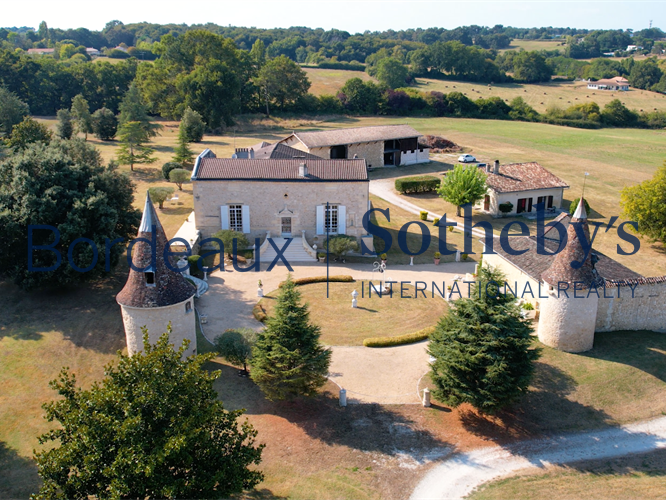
[268, 204]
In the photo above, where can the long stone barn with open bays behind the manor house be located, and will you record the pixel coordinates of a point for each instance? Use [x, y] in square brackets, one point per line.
[380, 146]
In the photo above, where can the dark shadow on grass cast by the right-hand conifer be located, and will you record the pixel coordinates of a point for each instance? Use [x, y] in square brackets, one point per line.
[544, 409]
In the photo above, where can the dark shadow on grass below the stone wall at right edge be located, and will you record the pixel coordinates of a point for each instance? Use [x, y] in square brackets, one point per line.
[644, 350]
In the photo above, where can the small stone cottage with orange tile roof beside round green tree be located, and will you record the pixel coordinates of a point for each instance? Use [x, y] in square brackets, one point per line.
[524, 185]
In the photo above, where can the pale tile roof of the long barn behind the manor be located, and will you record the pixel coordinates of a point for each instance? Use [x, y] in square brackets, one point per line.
[355, 135]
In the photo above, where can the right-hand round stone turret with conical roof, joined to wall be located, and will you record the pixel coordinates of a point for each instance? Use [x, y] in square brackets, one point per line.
[568, 316]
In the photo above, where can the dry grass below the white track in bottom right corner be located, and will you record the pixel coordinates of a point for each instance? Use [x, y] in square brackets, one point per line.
[636, 476]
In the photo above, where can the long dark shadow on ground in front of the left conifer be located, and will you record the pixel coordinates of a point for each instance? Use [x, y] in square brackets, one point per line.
[364, 427]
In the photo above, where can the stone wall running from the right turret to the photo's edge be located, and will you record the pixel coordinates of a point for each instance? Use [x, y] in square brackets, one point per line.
[645, 311]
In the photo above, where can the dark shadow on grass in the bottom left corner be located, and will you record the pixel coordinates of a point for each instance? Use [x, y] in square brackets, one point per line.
[18, 475]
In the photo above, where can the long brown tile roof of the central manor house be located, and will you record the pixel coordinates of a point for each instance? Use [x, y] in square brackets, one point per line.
[211, 168]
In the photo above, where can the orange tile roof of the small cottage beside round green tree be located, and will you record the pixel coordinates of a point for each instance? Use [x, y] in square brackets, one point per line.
[516, 177]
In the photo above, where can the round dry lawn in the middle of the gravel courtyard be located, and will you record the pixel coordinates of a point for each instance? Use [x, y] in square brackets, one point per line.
[380, 316]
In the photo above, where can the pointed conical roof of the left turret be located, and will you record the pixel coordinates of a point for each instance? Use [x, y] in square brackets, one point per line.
[156, 285]
